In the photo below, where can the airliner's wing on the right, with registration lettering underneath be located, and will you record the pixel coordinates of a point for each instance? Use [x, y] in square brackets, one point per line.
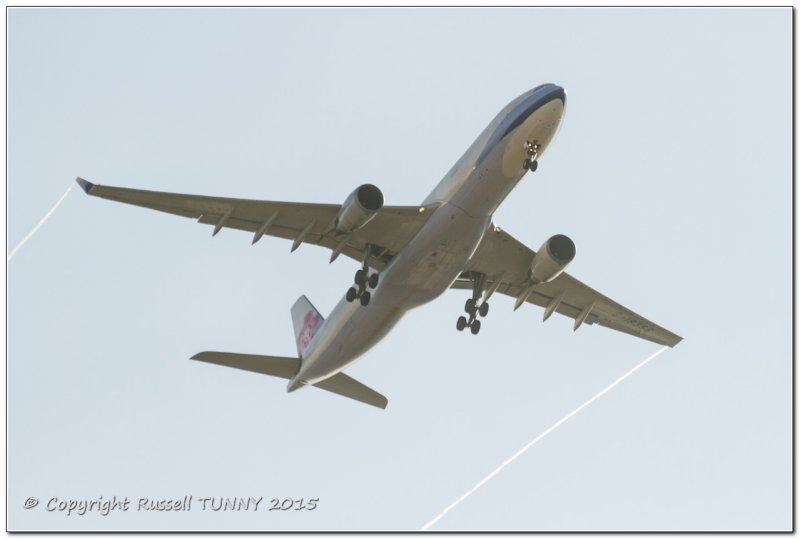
[505, 262]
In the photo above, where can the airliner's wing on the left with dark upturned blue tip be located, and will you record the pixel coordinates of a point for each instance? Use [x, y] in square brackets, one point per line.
[387, 233]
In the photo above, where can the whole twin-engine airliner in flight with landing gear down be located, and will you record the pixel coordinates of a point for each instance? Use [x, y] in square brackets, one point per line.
[410, 255]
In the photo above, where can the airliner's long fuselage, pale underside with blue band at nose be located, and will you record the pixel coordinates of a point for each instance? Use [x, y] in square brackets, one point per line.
[462, 206]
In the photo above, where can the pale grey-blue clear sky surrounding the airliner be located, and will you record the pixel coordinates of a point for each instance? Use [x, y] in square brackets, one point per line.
[671, 172]
